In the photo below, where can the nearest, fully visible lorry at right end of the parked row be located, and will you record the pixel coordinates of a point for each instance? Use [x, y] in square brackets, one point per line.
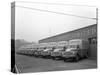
[77, 49]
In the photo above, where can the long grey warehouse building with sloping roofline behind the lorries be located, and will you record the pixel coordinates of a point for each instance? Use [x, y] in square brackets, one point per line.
[89, 32]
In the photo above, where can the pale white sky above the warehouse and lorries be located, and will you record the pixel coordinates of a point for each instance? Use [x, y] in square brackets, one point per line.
[33, 25]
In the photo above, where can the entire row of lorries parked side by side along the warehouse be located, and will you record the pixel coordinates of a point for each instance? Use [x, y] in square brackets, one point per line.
[73, 49]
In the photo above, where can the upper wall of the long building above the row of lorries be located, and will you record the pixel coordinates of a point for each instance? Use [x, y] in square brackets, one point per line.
[86, 32]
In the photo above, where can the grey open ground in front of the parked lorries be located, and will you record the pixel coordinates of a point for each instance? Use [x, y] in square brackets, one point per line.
[27, 64]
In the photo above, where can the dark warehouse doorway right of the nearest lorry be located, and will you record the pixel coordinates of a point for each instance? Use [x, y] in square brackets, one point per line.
[93, 48]
